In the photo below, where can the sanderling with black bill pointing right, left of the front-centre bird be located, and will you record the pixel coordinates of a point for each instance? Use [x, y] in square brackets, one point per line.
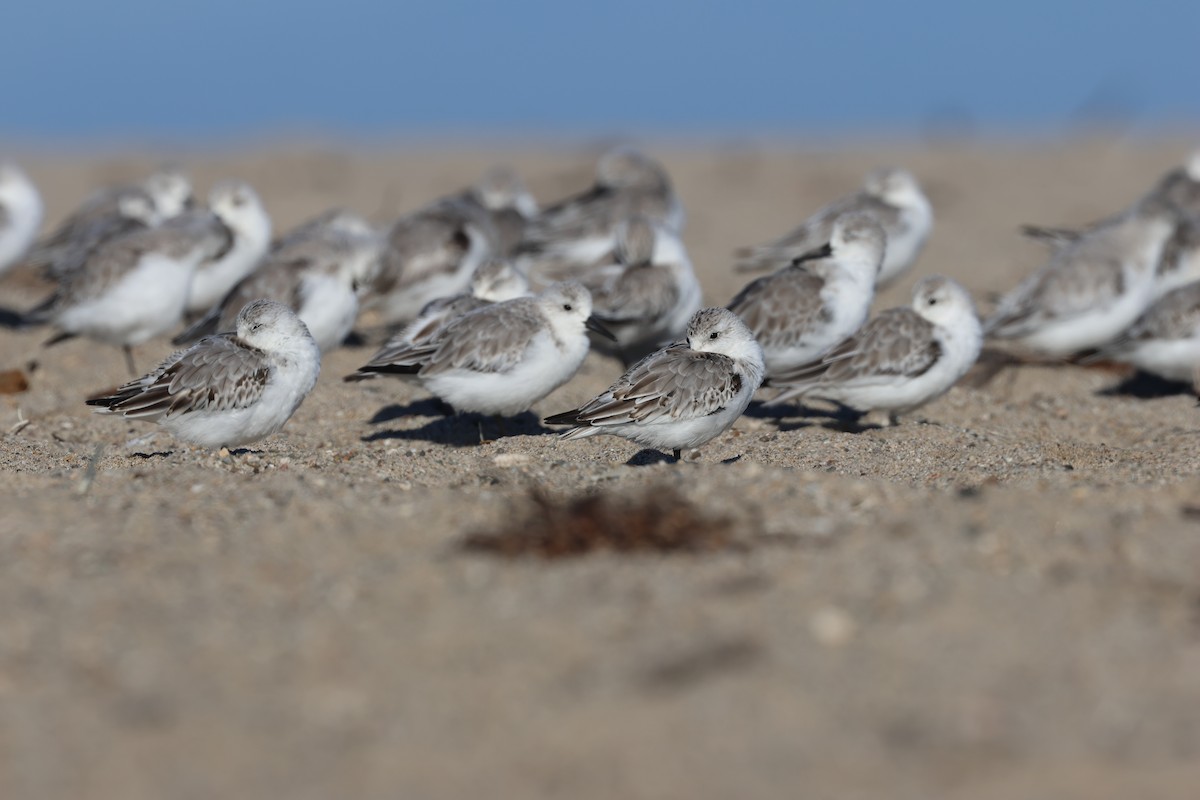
[501, 359]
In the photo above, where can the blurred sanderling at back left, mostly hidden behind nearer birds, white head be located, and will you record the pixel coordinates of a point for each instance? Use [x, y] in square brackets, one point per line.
[107, 215]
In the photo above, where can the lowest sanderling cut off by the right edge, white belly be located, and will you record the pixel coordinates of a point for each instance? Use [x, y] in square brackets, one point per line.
[1166, 340]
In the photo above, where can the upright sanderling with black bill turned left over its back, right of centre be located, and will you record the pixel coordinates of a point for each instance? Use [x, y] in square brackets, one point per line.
[809, 306]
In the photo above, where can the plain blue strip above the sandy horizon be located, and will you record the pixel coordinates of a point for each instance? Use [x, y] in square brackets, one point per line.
[220, 69]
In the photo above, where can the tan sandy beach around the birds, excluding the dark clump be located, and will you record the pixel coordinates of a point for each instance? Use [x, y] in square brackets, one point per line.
[998, 599]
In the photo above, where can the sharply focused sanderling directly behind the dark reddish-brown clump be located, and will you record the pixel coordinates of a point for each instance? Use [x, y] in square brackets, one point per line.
[682, 396]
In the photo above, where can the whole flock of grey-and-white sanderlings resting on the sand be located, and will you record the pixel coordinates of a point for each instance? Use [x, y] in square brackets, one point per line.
[493, 302]
